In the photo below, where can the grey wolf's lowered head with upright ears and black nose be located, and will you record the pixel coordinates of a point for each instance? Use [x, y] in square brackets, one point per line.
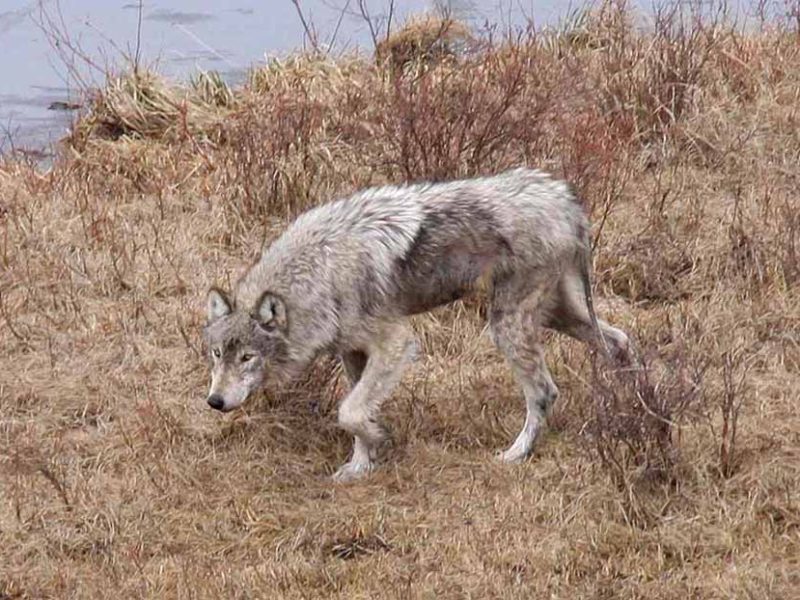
[244, 348]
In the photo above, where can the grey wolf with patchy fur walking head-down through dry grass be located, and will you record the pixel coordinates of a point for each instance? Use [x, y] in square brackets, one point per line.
[345, 277]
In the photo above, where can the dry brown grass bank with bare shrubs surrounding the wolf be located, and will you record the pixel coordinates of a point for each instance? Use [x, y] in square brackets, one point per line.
[678, 481]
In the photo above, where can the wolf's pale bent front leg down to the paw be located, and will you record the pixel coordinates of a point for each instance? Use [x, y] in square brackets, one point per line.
[391, 351]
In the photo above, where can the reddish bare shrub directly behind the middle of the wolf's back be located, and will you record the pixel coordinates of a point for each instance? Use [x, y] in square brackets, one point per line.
[445, 122]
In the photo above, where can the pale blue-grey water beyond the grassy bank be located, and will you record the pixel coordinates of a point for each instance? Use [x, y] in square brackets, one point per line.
[179, 37]
